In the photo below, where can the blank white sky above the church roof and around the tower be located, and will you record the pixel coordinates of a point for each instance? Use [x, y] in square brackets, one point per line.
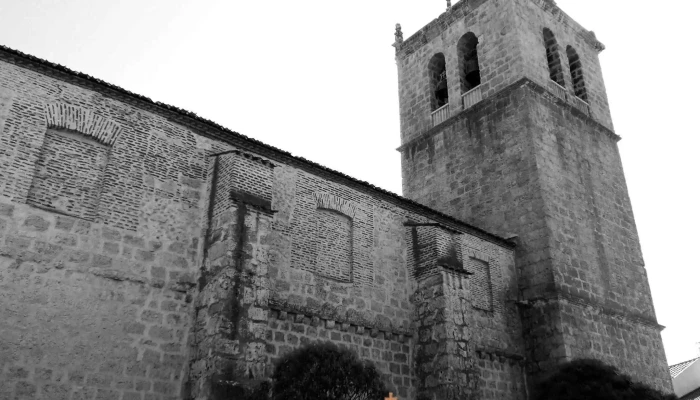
[318, 79]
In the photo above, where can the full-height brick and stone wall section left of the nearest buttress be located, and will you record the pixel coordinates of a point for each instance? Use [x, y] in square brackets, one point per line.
[102, 210]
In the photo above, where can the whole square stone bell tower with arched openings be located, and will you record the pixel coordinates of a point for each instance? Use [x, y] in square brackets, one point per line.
[505, 124]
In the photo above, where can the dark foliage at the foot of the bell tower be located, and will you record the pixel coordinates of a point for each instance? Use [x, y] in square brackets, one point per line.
[586, 379]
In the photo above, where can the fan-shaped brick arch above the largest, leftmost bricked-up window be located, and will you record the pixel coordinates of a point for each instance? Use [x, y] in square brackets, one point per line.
[75, 118]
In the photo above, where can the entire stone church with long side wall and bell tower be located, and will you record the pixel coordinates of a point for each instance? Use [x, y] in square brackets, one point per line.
[147, 253]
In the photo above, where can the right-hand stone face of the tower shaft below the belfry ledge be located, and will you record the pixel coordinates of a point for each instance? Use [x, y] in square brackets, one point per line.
[595, 246]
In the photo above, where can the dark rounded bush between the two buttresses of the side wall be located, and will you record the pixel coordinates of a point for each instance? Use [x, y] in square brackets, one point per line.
[325, 372]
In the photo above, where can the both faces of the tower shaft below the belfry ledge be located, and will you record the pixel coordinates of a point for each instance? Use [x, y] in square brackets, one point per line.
[525, 162]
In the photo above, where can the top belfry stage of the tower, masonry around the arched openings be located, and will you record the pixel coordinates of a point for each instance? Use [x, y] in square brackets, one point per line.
[510, 47]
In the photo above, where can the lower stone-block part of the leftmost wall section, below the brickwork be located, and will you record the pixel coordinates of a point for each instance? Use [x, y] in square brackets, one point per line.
[89, 311]
